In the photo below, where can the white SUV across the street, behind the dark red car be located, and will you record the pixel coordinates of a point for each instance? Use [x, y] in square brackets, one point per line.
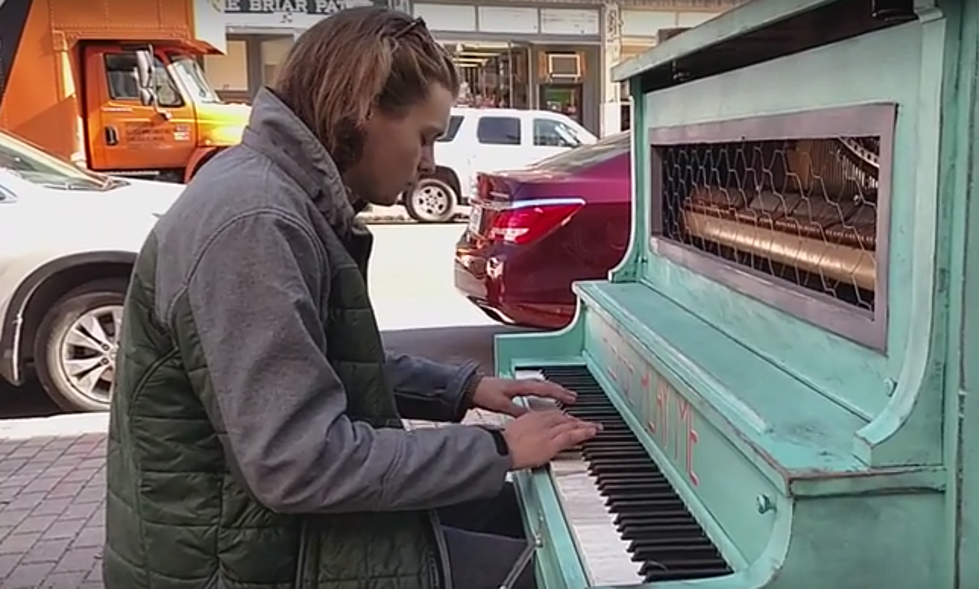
[488, 140]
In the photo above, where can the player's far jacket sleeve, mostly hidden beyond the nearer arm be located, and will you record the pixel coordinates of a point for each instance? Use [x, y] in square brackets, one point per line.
[429, 390]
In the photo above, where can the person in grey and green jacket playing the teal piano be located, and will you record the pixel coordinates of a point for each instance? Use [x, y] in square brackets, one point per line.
[255, 435]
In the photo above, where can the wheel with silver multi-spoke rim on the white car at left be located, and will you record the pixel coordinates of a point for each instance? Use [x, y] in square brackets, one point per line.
[76, 343]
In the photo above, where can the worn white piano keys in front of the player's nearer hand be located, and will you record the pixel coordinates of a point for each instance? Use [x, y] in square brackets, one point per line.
[605, 554]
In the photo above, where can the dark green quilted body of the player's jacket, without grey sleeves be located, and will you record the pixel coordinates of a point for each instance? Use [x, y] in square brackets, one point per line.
[177, 518]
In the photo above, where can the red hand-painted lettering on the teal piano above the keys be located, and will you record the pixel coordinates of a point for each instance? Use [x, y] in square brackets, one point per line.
[670, 418]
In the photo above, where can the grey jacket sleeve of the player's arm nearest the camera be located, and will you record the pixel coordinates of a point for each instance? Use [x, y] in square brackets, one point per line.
[254, 314]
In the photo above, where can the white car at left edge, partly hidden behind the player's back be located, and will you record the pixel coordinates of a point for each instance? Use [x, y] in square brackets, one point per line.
[68, 241]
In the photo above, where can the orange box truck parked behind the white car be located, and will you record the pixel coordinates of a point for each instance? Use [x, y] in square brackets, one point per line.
[116, 85]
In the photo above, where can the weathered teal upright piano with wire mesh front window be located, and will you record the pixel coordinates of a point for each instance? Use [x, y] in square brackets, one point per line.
[786, 361]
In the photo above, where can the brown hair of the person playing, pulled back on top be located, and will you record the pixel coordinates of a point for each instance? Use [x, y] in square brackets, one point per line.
[359, 59]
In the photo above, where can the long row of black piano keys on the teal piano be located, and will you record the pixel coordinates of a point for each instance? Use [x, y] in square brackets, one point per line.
[647, 512]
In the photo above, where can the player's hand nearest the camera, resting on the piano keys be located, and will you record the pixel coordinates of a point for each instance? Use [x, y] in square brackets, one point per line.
[535, 438]
